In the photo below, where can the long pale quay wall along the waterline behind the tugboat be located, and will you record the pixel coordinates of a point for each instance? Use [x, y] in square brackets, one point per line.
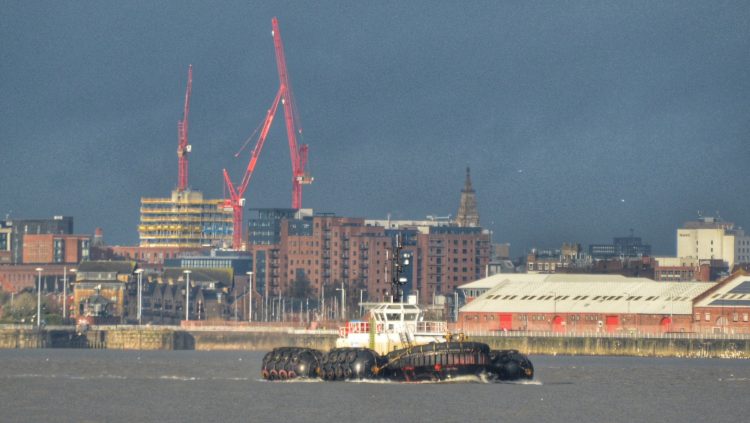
[264, 339]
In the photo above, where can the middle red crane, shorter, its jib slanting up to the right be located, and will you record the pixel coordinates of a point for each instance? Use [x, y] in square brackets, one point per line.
[235, 200]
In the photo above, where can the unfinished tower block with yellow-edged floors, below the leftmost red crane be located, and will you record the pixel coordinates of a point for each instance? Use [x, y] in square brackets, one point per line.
[185, 220]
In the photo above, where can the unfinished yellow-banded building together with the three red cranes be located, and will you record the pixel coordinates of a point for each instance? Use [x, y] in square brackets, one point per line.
[187, 220]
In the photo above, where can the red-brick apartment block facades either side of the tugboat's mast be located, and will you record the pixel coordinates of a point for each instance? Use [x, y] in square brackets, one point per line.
[342, 249]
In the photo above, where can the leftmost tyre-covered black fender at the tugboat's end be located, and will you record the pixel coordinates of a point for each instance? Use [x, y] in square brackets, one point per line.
[291, 363]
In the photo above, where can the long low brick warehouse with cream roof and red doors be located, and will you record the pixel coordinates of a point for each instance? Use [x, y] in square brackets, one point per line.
[575, 303]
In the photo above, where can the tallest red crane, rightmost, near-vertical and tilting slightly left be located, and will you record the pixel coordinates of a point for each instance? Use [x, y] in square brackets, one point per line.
[297, 154]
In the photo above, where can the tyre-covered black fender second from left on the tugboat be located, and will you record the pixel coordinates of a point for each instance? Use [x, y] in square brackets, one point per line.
[349, 364]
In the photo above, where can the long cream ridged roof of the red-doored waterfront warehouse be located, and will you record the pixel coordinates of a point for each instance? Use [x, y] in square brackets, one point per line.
[573, 293]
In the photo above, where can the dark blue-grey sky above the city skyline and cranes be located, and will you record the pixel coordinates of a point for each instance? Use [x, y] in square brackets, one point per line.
[580, 120]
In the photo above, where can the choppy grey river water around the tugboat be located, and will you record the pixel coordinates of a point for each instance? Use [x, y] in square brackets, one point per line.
[85, 385]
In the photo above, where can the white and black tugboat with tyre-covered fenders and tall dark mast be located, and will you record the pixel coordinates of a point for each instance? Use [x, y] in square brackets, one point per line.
[397, 344]
